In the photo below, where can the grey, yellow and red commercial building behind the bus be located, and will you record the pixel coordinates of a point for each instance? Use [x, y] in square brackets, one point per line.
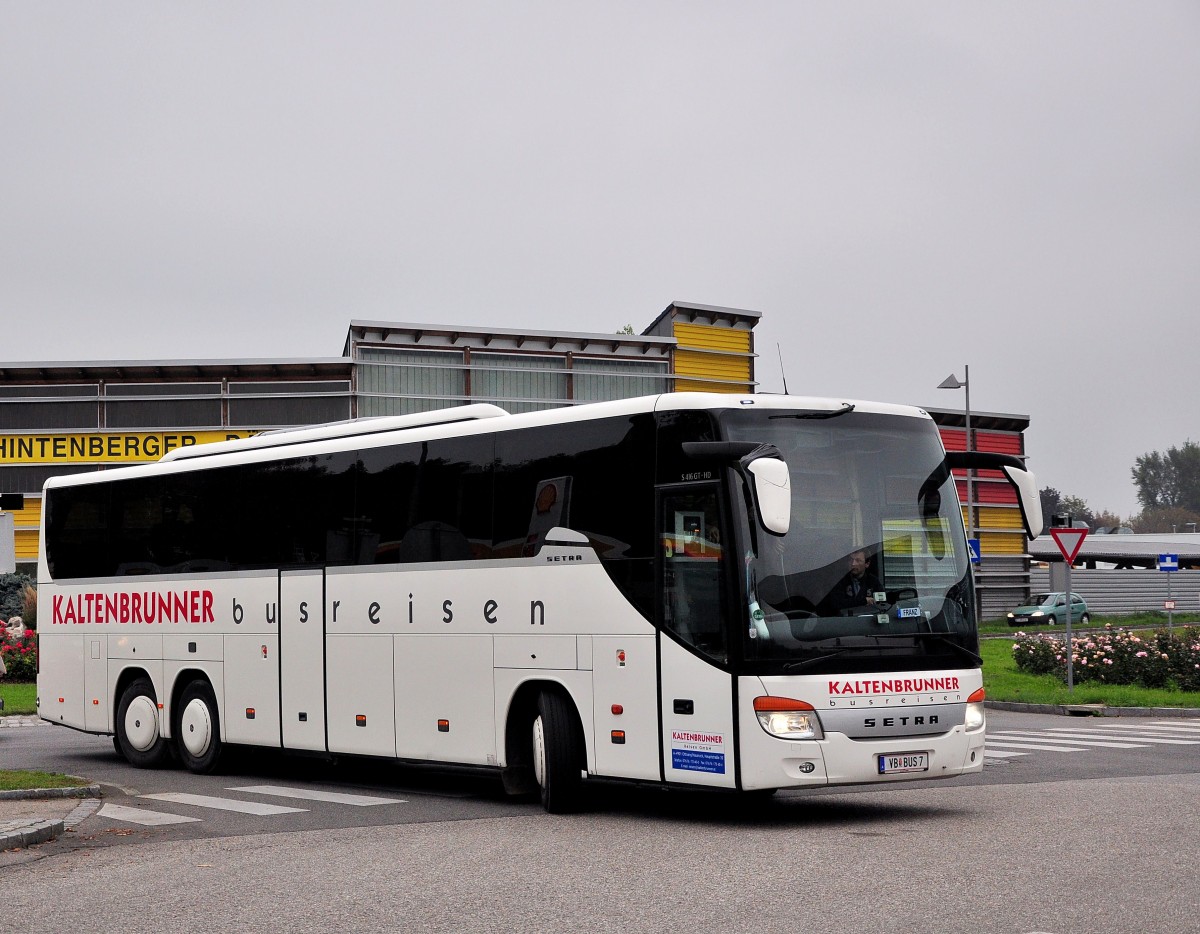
[69, 417]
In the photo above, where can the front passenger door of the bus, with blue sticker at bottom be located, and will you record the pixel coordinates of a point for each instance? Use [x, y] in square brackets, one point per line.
[698, 690]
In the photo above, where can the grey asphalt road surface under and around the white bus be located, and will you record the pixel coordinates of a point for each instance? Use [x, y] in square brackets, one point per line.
[1097, 839]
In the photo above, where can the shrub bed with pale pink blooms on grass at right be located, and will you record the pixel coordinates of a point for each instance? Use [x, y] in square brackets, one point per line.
[1117, 657]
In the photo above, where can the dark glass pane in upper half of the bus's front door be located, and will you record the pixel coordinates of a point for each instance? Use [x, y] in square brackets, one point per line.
[693, 571]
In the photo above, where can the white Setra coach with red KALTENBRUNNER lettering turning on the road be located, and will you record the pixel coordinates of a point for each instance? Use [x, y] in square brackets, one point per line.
[655, 590]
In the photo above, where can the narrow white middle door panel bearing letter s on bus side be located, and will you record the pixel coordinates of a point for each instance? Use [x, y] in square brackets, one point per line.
[303, 660]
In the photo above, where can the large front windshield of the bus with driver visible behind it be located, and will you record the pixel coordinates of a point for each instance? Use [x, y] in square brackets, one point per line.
[874, 572]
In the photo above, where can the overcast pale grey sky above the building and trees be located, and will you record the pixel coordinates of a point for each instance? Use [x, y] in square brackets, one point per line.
[901, 189]
